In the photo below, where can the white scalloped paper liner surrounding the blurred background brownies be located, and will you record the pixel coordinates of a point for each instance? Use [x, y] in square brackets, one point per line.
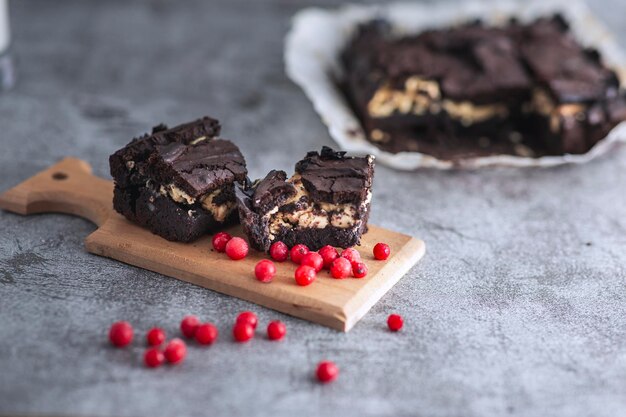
[317, 37]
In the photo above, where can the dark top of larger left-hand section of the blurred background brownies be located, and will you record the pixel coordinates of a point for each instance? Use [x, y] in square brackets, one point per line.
[471, 63]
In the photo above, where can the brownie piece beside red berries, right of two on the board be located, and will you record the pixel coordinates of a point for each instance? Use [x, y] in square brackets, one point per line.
[326, 202]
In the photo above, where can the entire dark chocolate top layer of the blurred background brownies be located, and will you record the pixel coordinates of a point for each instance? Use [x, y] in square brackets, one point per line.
[485, 64]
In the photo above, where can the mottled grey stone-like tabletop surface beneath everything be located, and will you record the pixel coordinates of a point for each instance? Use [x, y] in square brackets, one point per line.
[518, 308]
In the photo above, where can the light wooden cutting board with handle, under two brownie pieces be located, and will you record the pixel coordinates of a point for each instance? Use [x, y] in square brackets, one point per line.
[69, 187]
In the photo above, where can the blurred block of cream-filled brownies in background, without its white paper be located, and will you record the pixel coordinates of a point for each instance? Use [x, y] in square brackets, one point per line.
[521, 89]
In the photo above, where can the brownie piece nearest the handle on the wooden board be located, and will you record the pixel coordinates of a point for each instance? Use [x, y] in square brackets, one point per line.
[178, 182]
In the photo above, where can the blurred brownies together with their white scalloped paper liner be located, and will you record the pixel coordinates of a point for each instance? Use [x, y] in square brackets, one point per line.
[467, 85]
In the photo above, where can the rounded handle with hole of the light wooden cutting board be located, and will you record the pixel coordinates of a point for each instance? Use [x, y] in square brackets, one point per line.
[66, 187]
